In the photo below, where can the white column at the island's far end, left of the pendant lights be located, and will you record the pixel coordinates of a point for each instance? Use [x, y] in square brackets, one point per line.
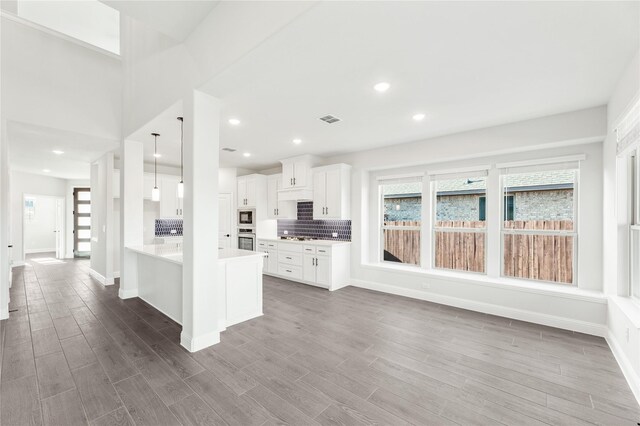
[131, 214]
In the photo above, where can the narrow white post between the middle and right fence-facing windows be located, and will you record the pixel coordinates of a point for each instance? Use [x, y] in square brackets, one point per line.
[494, 217]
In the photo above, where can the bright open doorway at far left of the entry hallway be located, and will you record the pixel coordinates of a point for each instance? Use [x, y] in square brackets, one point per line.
[43, 225]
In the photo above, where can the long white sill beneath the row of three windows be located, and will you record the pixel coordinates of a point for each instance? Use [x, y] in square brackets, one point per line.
[569, 292]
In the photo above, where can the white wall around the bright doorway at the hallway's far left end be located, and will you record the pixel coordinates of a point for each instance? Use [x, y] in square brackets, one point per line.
[27, 183]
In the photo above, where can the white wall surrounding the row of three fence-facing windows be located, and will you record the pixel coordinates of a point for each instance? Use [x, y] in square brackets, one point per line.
[581, 309]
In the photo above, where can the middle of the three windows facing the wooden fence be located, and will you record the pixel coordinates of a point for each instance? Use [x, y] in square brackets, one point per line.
[459, 229]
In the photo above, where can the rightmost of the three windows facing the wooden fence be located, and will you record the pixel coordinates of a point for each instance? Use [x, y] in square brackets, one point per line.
[539, 223]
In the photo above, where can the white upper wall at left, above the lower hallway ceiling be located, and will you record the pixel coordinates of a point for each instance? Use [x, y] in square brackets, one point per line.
[52, 82]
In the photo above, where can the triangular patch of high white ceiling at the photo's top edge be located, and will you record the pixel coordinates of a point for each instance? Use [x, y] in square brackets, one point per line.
[174, 18]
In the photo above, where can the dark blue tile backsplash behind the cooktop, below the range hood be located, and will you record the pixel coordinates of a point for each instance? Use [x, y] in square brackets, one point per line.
[306, 226]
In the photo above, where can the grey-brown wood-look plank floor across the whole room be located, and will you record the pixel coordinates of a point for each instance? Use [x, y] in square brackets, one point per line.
[74, 353]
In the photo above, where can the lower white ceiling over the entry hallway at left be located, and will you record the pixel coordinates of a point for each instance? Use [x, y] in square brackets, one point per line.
[30, 150]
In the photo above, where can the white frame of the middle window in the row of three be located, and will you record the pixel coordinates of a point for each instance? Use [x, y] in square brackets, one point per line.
[433, 229]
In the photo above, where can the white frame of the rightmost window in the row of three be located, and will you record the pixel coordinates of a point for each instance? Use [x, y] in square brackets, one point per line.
[560, 232]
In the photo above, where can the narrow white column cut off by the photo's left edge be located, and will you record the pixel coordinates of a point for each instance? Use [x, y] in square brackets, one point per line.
[5, 270]
